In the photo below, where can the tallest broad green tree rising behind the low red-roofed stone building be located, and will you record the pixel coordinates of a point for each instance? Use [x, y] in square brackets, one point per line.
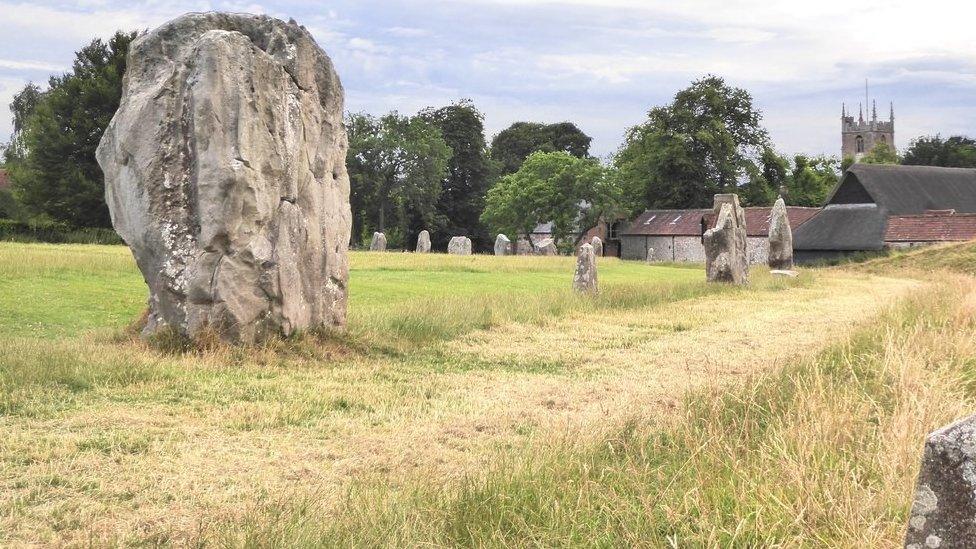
[708, 140]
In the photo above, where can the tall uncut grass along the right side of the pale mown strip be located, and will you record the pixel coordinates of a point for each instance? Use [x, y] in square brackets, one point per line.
[822, 453]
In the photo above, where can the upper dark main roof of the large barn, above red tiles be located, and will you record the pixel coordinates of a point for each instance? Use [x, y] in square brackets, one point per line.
[905, 190]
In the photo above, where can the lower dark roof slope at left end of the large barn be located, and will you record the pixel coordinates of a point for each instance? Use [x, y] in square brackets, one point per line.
[844, 227]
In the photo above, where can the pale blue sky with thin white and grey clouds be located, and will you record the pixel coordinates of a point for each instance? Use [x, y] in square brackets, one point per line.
[601, 64]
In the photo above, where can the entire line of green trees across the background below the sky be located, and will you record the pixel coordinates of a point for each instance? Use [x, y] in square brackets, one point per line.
[436, 170]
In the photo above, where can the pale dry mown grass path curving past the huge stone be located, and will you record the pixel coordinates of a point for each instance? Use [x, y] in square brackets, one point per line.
[157, 458]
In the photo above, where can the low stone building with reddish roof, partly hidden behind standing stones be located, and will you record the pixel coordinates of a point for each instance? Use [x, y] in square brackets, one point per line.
[676, 235]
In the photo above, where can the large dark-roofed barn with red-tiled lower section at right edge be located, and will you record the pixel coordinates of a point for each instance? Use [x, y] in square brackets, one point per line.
[875, 207]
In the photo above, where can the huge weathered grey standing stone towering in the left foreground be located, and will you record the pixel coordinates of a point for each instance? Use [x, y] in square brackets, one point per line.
[225, 174]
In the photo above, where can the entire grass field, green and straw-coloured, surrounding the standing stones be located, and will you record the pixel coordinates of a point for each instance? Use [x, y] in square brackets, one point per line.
[477, 401]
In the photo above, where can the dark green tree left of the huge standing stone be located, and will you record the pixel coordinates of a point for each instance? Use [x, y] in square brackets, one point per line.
[52, 157]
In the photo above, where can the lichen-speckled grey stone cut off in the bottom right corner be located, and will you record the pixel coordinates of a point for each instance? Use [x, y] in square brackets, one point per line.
[944, 511]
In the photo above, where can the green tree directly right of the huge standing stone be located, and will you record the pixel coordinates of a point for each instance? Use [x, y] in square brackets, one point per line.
[396, 164]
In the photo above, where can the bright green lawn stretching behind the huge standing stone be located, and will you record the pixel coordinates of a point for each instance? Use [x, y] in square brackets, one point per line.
[55, 291]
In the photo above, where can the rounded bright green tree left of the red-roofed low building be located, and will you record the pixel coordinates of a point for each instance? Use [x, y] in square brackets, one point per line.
[572, 193]
